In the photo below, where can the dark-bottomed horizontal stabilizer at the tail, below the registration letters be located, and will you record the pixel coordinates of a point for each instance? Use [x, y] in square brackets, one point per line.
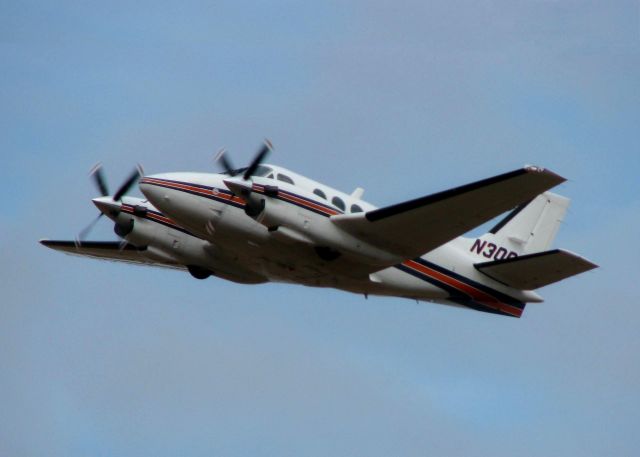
[533, 271]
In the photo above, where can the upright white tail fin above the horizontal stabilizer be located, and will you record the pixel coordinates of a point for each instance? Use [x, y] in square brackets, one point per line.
[532, 226]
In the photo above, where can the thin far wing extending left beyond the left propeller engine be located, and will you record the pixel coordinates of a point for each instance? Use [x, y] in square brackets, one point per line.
[112, 250]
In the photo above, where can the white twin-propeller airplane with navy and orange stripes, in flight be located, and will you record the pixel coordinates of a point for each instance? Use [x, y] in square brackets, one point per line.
[265, 223]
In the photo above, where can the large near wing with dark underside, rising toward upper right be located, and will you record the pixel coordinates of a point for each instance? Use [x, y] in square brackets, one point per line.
[415, 227]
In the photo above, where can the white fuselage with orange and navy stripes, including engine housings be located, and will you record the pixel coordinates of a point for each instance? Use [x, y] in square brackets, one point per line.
[195, 219]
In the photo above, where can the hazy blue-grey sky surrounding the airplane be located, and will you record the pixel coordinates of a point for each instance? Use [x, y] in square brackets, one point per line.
[403, 100]
